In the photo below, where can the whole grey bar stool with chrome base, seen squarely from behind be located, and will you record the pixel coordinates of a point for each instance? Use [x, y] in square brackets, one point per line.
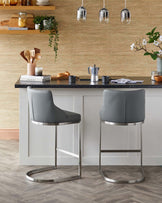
[122, 108]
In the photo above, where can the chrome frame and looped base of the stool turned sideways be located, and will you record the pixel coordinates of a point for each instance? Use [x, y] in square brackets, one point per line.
[29, 174]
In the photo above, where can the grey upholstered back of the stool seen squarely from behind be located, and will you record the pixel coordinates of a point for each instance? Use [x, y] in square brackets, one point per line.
[123, 106]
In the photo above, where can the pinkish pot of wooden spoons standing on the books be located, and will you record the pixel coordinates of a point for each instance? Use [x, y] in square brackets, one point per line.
[31, 56]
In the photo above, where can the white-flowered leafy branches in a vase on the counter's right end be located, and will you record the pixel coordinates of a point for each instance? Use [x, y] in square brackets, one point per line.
[154, 39]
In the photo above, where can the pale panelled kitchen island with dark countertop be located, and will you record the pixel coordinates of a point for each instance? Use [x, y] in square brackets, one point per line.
[37, 142]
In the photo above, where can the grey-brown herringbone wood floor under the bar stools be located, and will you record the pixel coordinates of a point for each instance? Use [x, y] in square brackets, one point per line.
[14, 188]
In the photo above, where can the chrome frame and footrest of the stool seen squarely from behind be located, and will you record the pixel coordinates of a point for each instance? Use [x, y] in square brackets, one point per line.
[103, 172]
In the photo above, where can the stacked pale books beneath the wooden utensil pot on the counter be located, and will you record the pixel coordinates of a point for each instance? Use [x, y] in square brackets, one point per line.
[31, 78]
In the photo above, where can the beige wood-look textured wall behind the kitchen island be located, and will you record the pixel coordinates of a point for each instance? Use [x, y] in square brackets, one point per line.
[81, 45]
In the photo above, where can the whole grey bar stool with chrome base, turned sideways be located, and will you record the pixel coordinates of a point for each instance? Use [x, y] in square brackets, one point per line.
[43, 111]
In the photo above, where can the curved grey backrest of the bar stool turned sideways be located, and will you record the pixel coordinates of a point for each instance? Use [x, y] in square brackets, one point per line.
[41, 105]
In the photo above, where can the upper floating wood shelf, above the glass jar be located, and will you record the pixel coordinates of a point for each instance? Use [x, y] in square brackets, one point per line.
[36, 8]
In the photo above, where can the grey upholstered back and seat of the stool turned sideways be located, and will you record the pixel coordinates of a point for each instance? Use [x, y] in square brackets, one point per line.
[42, 108]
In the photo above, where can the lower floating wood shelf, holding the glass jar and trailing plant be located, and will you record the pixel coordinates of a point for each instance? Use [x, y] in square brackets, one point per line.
[19, 32]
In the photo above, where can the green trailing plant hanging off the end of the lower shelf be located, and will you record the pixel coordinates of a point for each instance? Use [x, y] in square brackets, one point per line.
[52, 26]
